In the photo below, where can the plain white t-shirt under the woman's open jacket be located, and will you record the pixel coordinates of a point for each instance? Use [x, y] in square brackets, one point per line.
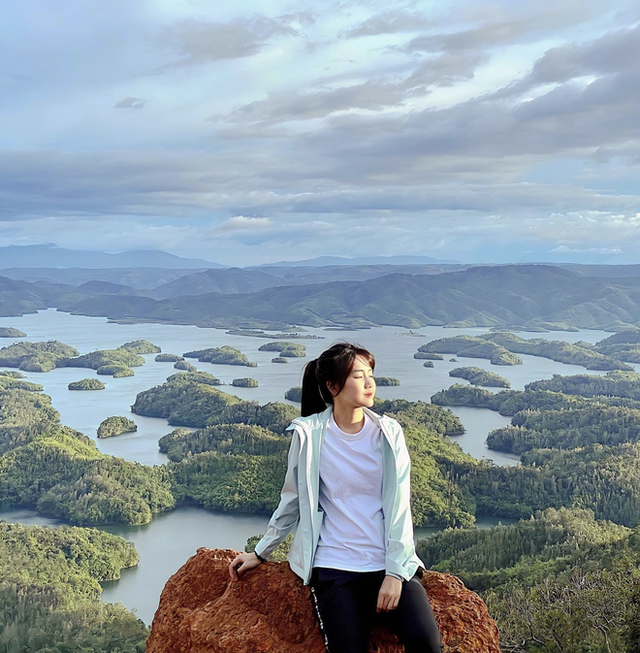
[352, 532]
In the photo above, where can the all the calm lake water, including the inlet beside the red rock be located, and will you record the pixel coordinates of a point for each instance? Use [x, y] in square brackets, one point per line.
[171, 538]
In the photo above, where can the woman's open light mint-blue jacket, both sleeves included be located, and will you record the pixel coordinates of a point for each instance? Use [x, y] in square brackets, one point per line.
[299, 509]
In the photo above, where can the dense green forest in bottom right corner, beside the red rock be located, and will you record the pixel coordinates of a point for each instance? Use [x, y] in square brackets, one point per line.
[558, 581]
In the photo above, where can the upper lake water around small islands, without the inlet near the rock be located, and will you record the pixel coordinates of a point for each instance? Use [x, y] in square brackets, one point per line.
[392, 347]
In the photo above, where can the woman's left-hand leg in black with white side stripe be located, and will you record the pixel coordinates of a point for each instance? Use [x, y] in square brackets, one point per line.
[345, 605]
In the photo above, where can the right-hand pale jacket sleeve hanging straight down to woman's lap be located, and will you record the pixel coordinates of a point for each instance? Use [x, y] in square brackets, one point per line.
[401, 560]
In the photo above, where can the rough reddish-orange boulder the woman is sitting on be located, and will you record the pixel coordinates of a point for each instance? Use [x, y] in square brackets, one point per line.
[203, 611]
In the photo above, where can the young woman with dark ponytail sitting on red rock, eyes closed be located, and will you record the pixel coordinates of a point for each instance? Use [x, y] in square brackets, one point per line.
[346, 496]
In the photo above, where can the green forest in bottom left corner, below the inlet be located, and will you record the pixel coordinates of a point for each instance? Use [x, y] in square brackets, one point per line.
[49, 591]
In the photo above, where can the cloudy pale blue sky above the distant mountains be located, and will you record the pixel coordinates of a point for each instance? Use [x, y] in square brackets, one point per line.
[252, 132]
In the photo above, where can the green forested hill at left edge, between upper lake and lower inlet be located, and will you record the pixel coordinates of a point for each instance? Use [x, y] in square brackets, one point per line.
[58, 471]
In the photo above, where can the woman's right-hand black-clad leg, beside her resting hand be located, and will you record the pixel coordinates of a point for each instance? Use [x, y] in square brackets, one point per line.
[413, 621]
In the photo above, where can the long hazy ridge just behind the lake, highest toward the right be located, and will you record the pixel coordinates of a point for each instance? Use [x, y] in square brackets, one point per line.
[533, 295]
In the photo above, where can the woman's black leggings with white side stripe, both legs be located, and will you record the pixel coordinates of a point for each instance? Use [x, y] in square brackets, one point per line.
[345, 605]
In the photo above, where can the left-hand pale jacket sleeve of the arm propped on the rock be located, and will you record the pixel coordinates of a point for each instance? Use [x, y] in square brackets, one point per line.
[285, 518]
